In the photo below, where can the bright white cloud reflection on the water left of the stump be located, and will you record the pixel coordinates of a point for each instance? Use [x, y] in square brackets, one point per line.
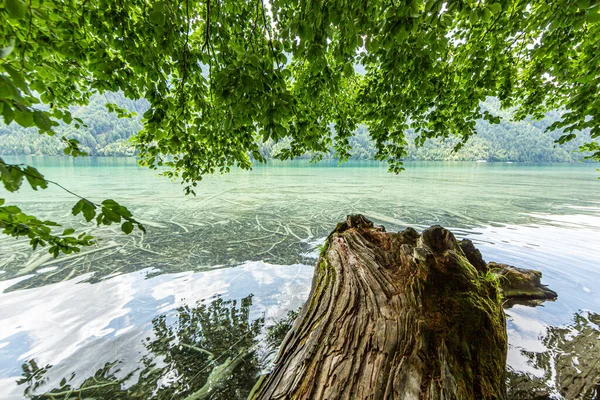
[79, 326]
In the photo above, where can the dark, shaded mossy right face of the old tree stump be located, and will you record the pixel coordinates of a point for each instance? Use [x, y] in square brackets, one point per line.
[469, 303]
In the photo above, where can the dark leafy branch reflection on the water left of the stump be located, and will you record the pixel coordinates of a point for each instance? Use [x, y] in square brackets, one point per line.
[211, 351]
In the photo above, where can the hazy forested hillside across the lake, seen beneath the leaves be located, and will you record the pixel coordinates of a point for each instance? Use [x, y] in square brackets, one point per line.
[107, 135]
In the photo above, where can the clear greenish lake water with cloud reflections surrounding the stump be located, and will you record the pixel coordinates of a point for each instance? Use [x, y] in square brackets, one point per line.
[135, 314]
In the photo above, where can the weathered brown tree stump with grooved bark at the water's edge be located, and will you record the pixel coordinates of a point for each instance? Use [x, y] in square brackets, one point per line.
[395, 316]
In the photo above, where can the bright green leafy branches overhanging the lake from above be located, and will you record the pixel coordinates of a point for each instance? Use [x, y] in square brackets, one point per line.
[218, 74]
